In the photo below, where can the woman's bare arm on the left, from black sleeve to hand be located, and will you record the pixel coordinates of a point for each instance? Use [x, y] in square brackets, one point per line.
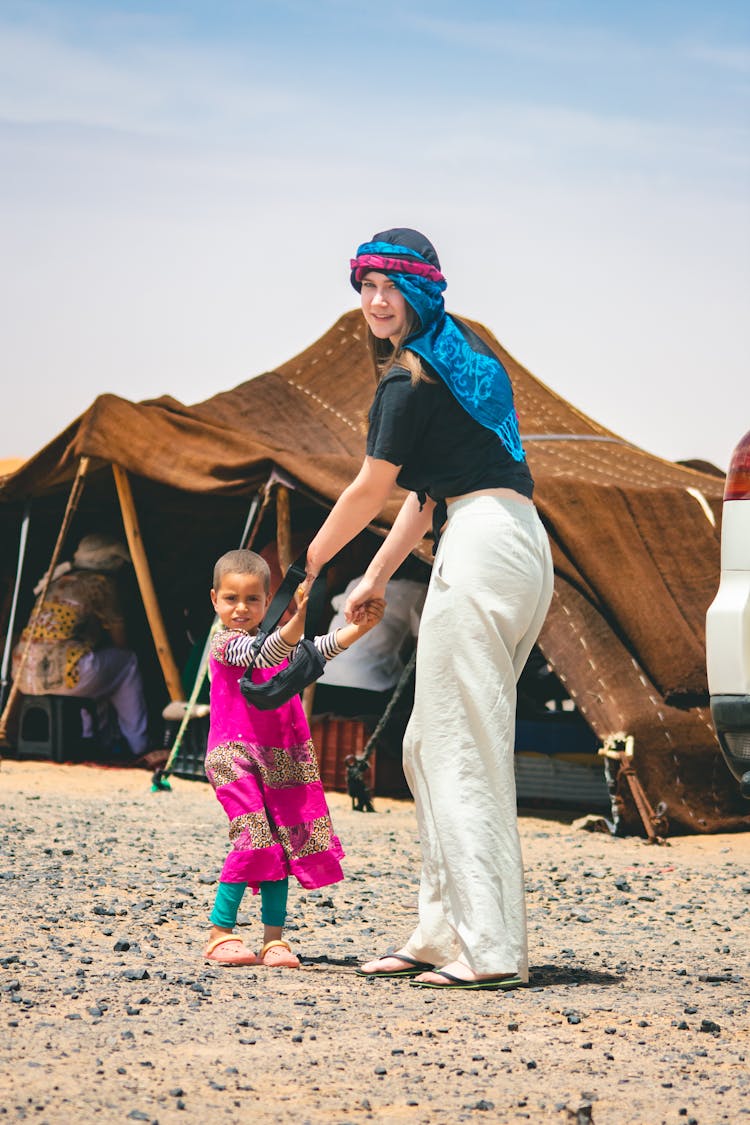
[357, 507]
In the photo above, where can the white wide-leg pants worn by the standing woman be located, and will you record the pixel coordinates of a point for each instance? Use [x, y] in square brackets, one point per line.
[490, 592]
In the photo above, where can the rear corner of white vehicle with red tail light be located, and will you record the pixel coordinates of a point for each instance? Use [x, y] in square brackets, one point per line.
[728, 624]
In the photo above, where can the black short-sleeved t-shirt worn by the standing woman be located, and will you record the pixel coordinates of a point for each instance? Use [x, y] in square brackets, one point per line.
[442, 451]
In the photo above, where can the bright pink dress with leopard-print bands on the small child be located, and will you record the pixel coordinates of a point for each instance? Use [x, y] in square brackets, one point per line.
[264, 770]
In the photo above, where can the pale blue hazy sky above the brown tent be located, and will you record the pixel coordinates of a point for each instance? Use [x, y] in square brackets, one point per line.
[183, 185]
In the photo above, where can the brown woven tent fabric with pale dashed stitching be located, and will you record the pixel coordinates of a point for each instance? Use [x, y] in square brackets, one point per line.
[636, 539]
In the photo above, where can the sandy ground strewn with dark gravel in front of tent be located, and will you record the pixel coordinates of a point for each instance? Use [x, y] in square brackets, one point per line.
[638, 1012]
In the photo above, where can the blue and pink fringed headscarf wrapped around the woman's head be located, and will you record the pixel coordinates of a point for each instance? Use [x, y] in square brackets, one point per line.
[471, 371]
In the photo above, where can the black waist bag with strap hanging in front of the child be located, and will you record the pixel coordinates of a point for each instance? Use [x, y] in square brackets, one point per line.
[308, 663]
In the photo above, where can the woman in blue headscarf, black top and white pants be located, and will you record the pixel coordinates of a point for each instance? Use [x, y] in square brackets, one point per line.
[444, 427]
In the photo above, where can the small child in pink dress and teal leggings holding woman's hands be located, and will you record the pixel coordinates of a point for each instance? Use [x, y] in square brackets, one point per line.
[263, 766]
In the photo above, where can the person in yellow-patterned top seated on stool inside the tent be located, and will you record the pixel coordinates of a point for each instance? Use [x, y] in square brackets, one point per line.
[77, 643]
